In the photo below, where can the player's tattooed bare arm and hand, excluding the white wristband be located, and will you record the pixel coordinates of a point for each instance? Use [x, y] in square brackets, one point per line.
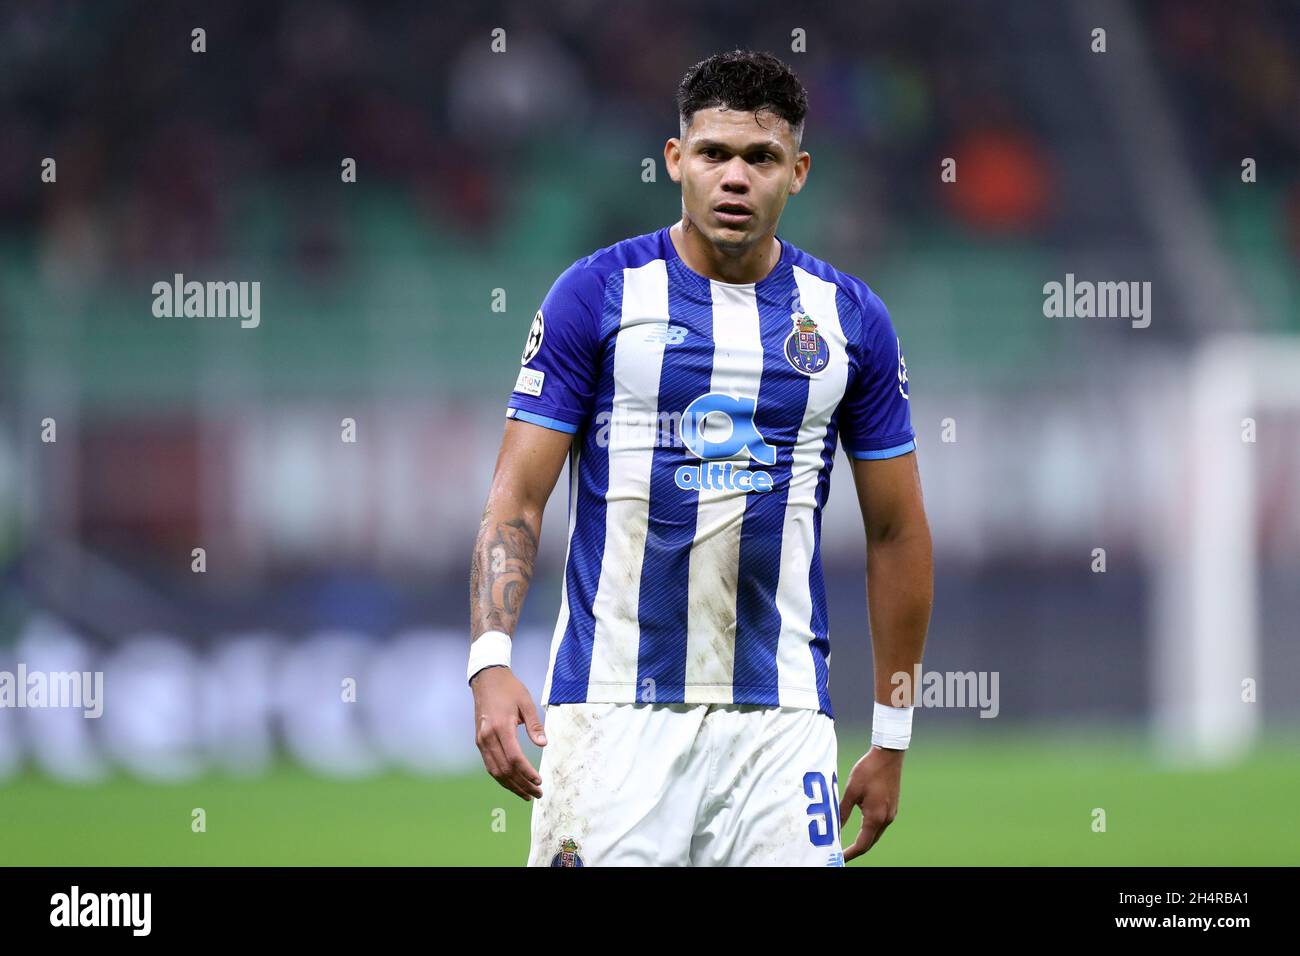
[501, 570]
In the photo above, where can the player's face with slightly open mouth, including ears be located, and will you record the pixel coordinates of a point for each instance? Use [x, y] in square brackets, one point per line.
[736, 175]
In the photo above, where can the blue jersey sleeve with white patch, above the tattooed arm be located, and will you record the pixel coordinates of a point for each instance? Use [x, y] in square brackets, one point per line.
[562, 354]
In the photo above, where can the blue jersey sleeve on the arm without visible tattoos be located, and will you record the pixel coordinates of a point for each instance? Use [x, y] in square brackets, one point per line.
[876, 416]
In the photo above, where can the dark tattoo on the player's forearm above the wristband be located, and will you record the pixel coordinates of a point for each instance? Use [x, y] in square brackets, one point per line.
[500, 574]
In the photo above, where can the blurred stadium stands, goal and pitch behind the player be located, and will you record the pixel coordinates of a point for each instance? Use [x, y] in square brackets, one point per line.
[480, 171]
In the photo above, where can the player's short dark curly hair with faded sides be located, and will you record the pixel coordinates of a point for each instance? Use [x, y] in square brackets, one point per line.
[744, 80]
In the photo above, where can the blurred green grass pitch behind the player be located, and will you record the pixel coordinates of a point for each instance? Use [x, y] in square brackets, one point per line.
[965, 802]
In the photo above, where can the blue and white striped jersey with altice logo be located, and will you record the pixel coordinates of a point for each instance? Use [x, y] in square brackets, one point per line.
[707, 418]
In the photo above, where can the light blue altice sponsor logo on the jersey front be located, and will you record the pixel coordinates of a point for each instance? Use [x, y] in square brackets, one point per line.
[718, 429]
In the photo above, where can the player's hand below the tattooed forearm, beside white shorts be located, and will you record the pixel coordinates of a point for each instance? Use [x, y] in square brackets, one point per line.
[501, 704]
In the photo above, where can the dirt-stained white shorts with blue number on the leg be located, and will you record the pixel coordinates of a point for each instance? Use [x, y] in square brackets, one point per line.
[687, 785]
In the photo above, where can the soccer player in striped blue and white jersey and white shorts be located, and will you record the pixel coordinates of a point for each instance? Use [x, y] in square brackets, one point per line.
[699, 380]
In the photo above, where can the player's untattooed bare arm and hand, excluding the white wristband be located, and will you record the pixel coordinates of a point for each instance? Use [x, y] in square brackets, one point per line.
[900, 591]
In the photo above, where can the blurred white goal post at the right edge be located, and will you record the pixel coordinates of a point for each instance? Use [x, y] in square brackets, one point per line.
[1206, 661]
